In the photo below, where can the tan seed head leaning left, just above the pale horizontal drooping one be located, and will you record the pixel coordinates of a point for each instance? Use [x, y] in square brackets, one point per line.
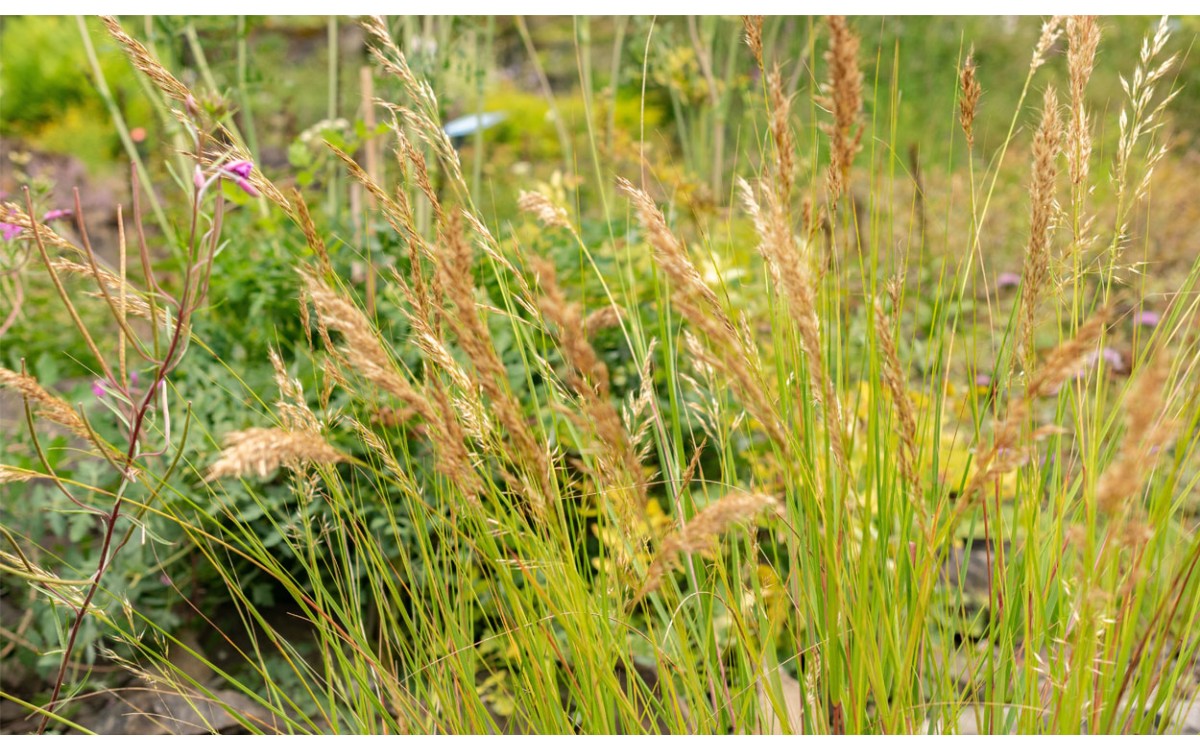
[362, 350]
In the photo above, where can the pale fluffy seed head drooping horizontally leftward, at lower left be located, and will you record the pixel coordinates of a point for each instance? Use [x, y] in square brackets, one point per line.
[261, 451]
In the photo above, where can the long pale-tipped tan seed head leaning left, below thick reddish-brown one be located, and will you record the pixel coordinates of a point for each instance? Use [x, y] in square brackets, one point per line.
[790, 269]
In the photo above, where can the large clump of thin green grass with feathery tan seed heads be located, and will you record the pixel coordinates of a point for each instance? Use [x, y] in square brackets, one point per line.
[621, 463]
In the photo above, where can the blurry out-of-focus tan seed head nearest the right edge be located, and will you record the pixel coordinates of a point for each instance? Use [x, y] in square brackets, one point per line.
[1148, 435]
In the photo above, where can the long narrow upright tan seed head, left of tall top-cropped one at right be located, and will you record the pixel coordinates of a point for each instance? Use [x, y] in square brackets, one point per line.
[1042, 212]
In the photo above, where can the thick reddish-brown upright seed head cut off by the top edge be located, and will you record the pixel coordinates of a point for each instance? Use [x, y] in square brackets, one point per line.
[843, 95]
